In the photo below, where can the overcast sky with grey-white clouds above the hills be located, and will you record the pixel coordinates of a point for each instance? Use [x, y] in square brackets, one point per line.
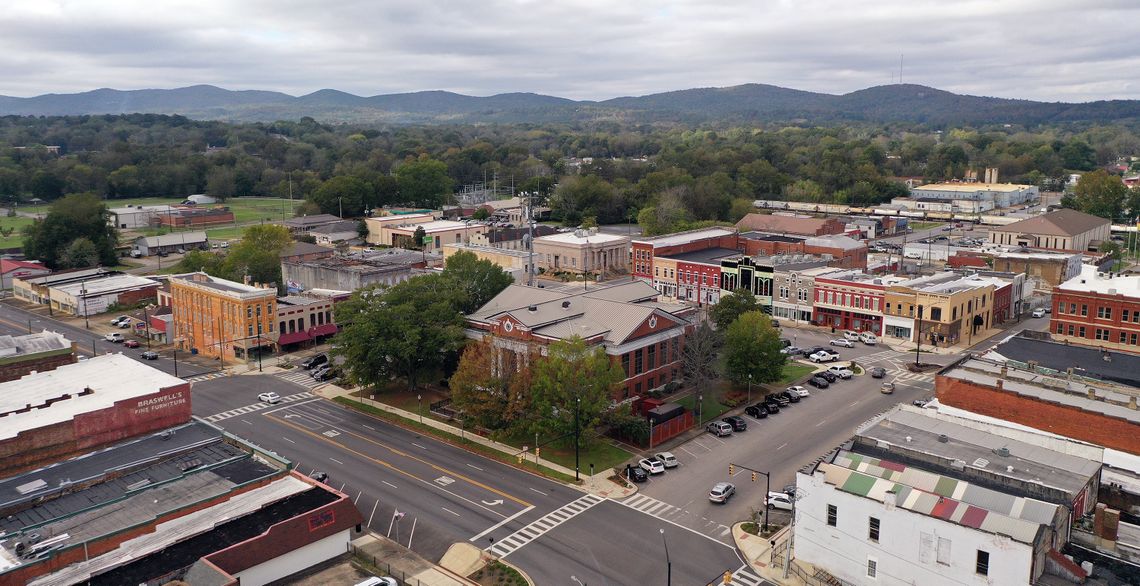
[1051, 51]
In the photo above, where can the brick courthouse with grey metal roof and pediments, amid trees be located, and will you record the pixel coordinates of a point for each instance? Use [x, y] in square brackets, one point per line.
[645, 337]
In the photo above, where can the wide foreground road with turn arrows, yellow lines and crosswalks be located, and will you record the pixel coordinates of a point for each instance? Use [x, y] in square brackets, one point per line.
[450, 495]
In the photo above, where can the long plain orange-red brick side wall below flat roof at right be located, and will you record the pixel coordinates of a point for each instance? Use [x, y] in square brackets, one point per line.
[1039, 414]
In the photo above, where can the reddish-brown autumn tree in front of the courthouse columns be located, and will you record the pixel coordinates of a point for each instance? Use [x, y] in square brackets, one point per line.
[488, 388]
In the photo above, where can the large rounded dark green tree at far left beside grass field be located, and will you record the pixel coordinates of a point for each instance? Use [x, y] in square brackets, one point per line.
[69, 219]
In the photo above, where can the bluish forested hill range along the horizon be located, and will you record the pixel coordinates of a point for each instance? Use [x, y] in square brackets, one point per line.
[750, 103]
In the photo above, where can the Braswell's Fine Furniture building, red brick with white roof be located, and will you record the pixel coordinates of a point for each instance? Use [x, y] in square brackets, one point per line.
[77, 408]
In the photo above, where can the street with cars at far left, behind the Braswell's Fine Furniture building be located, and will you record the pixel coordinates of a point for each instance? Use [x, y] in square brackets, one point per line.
[15, 321]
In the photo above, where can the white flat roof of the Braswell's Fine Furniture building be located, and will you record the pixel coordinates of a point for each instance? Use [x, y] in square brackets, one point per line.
[88, 386]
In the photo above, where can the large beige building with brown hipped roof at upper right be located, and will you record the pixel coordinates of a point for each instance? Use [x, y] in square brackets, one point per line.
[1062, 230]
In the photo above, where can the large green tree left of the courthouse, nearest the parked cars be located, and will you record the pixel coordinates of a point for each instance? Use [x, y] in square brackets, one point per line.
[405, 331]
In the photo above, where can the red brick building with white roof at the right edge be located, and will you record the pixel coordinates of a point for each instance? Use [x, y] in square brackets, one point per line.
[1098, 310]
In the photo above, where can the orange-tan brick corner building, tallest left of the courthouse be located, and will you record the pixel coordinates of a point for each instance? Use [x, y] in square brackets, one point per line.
[222, 319]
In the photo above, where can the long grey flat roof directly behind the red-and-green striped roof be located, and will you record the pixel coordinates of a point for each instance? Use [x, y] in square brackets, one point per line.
[901, 432]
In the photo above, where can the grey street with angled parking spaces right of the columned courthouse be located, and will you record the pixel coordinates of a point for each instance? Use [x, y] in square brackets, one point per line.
[780, 444]
